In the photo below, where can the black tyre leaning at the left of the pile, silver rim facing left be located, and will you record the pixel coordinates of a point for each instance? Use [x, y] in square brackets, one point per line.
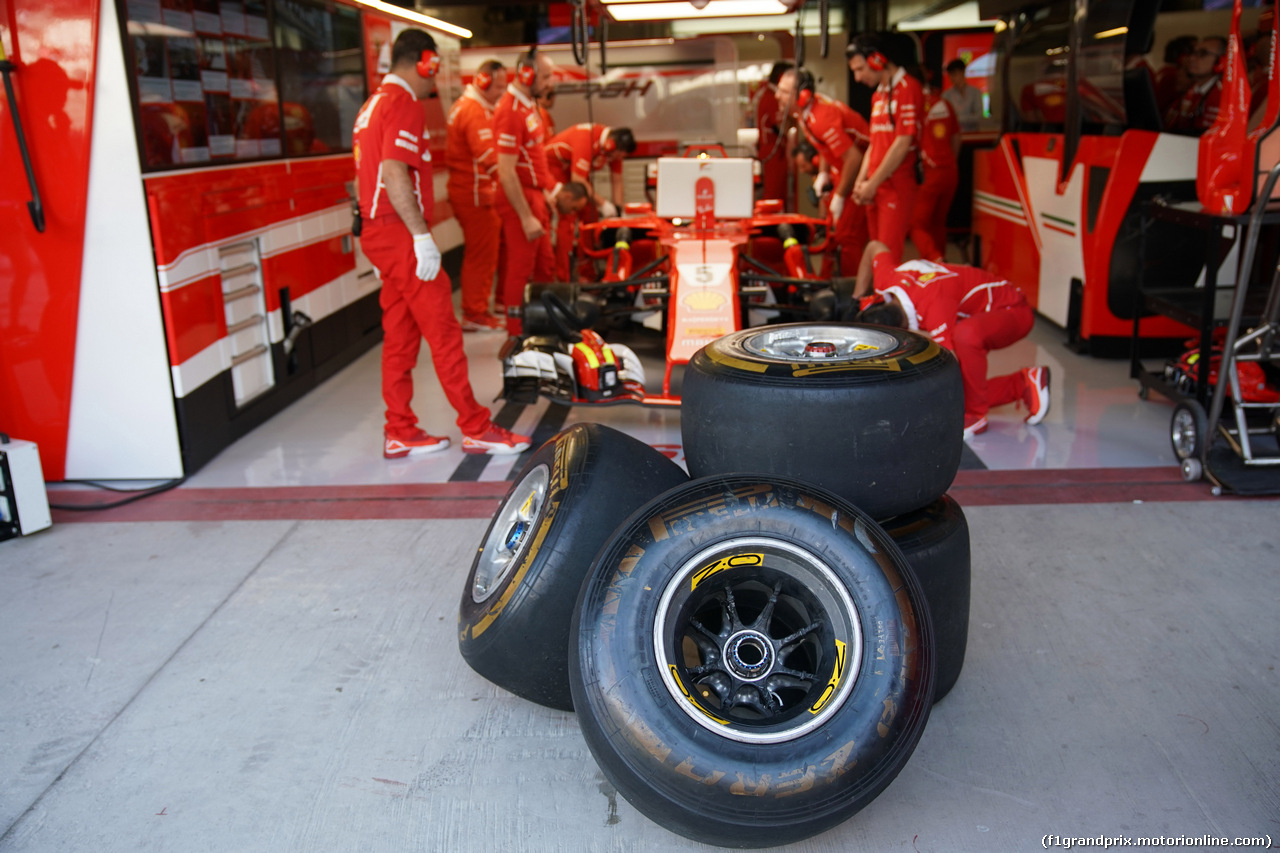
[519, 599]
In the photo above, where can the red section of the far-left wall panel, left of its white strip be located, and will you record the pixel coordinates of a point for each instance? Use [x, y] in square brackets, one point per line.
[53, 45]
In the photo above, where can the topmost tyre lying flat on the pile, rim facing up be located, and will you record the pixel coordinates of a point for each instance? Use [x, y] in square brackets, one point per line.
[875, 414]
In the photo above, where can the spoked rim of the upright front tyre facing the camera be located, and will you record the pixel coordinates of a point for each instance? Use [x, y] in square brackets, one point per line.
[758, 641]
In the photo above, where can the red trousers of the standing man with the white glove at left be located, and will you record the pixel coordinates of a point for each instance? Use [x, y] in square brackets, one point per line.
[414, 309]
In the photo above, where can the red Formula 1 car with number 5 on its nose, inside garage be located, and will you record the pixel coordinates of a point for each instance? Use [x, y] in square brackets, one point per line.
[710, 266]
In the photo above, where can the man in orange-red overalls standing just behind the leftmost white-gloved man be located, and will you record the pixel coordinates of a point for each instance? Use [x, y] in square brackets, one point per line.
[472, 163]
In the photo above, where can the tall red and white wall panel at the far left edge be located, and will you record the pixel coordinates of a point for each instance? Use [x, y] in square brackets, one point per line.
[83, 361]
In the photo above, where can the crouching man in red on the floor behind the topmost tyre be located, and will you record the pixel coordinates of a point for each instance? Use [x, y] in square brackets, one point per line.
[971, 313]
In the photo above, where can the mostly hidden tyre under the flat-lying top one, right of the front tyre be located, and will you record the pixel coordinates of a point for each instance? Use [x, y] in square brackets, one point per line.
[936, 545]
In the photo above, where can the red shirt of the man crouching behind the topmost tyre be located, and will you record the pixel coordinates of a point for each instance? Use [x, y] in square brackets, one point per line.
[936, 297]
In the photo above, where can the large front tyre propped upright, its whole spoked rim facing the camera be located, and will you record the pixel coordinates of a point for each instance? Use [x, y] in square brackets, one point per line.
[752, 660]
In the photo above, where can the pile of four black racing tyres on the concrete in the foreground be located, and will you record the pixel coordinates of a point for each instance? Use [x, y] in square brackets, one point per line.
[751, 654]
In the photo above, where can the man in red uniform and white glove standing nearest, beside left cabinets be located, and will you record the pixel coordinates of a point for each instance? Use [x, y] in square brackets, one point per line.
[394, 184]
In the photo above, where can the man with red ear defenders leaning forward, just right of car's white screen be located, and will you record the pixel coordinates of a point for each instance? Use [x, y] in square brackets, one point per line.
[840, 136]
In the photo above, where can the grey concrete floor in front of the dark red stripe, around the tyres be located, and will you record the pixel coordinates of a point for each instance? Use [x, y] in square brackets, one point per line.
[296, 686]
